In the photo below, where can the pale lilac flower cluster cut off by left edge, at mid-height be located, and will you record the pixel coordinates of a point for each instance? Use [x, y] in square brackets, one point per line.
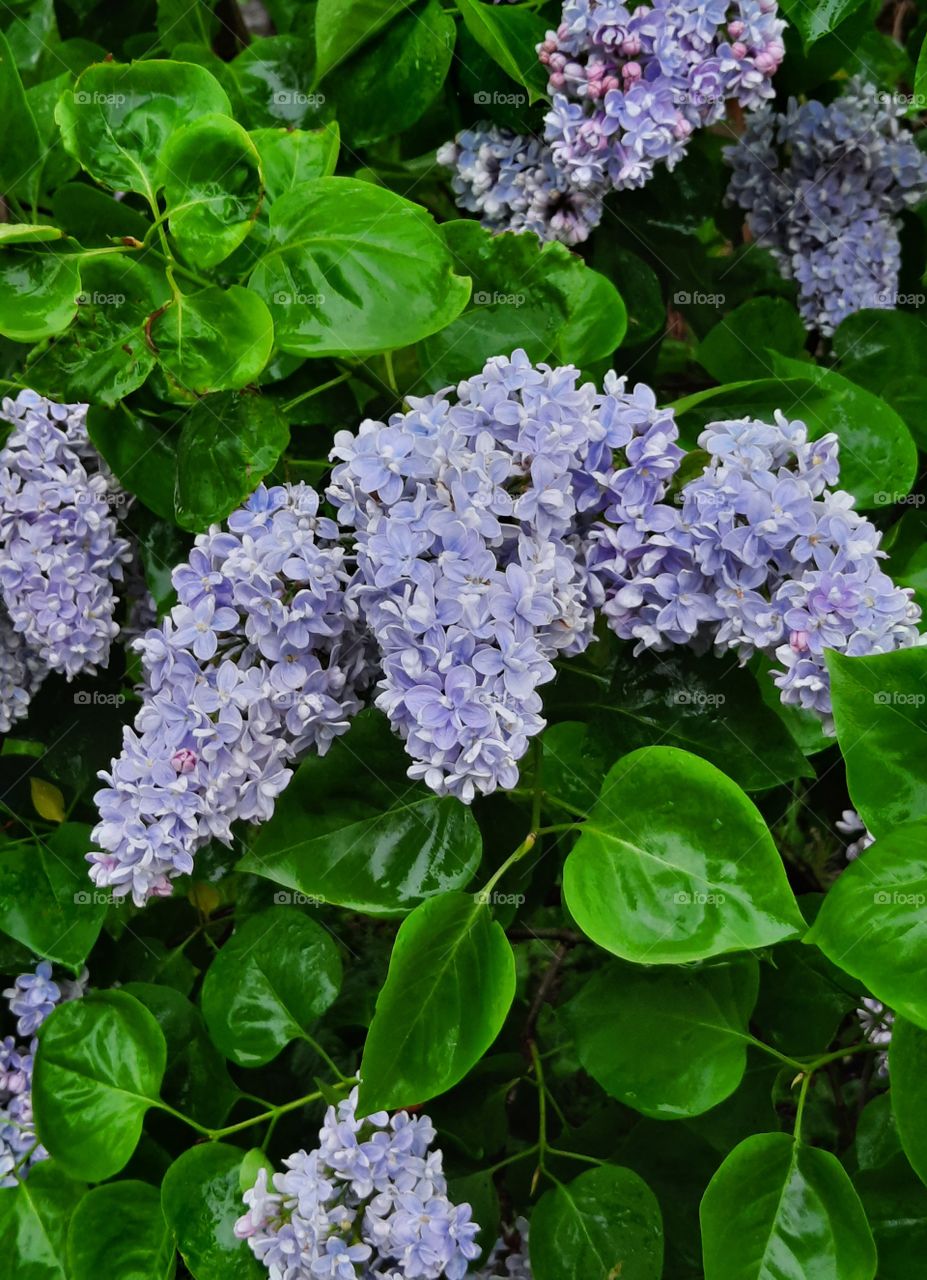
[60, 550]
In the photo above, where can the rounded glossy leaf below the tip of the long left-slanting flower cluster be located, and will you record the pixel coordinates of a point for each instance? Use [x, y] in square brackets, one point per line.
[276, 976]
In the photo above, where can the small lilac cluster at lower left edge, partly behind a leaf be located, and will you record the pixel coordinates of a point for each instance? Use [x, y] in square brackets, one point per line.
[31, 999]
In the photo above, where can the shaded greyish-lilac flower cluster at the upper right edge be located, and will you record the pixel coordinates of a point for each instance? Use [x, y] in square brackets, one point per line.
[823, 188]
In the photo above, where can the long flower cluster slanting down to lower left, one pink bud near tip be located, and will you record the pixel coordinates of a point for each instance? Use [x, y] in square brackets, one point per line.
[258, 662]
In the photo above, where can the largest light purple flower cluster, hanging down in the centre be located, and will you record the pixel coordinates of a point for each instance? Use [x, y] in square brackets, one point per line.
[469, 520]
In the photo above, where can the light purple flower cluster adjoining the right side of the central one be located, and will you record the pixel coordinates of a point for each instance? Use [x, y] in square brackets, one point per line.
[760, 555]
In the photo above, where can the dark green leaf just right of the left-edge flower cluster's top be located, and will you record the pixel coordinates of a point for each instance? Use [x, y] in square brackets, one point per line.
[141, 456]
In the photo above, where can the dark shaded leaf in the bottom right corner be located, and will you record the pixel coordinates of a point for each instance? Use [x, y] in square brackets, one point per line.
[896, 1204]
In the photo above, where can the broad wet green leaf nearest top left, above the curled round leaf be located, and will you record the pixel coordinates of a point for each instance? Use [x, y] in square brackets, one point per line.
[117, 118]
